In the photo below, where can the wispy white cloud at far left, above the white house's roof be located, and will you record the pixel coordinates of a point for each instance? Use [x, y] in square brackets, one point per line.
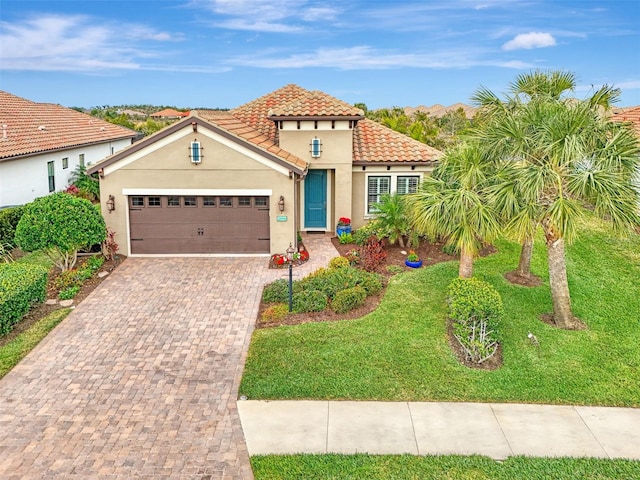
[76, 43]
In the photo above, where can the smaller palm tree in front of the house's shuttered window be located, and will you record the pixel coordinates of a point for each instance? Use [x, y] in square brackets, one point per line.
[452, 204]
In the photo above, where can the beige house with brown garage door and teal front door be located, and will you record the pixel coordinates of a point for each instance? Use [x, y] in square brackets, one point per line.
[245, 181]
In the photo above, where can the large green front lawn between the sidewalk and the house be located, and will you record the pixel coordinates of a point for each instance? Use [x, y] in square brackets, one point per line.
[400, 352]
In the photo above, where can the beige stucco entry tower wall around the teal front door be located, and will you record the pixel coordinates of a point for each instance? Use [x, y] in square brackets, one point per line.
[336, 157]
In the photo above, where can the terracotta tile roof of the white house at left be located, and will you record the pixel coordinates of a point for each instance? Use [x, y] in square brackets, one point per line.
[33, 128]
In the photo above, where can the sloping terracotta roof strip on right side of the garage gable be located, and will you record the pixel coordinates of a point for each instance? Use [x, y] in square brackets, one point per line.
[238, 128]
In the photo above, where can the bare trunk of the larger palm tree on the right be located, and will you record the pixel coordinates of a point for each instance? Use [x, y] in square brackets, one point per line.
[562, 315]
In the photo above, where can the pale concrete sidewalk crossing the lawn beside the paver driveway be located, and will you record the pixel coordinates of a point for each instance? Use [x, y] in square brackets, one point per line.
[494, 430]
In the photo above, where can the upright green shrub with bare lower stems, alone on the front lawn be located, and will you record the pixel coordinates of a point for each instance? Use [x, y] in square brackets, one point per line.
[476, 309]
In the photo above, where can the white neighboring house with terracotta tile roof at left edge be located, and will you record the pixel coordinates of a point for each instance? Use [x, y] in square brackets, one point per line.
[41, 144]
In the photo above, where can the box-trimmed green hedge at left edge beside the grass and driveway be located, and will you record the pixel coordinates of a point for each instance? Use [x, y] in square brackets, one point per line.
[21, 285]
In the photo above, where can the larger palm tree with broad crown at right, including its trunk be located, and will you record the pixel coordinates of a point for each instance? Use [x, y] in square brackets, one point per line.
[559, 156]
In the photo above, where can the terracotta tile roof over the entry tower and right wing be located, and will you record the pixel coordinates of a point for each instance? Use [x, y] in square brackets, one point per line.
[372, 142]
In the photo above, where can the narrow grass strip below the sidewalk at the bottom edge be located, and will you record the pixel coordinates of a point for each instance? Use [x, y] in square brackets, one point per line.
[397, 467]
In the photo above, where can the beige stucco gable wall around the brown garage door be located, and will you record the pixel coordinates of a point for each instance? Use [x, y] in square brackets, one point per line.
[225, 166]
